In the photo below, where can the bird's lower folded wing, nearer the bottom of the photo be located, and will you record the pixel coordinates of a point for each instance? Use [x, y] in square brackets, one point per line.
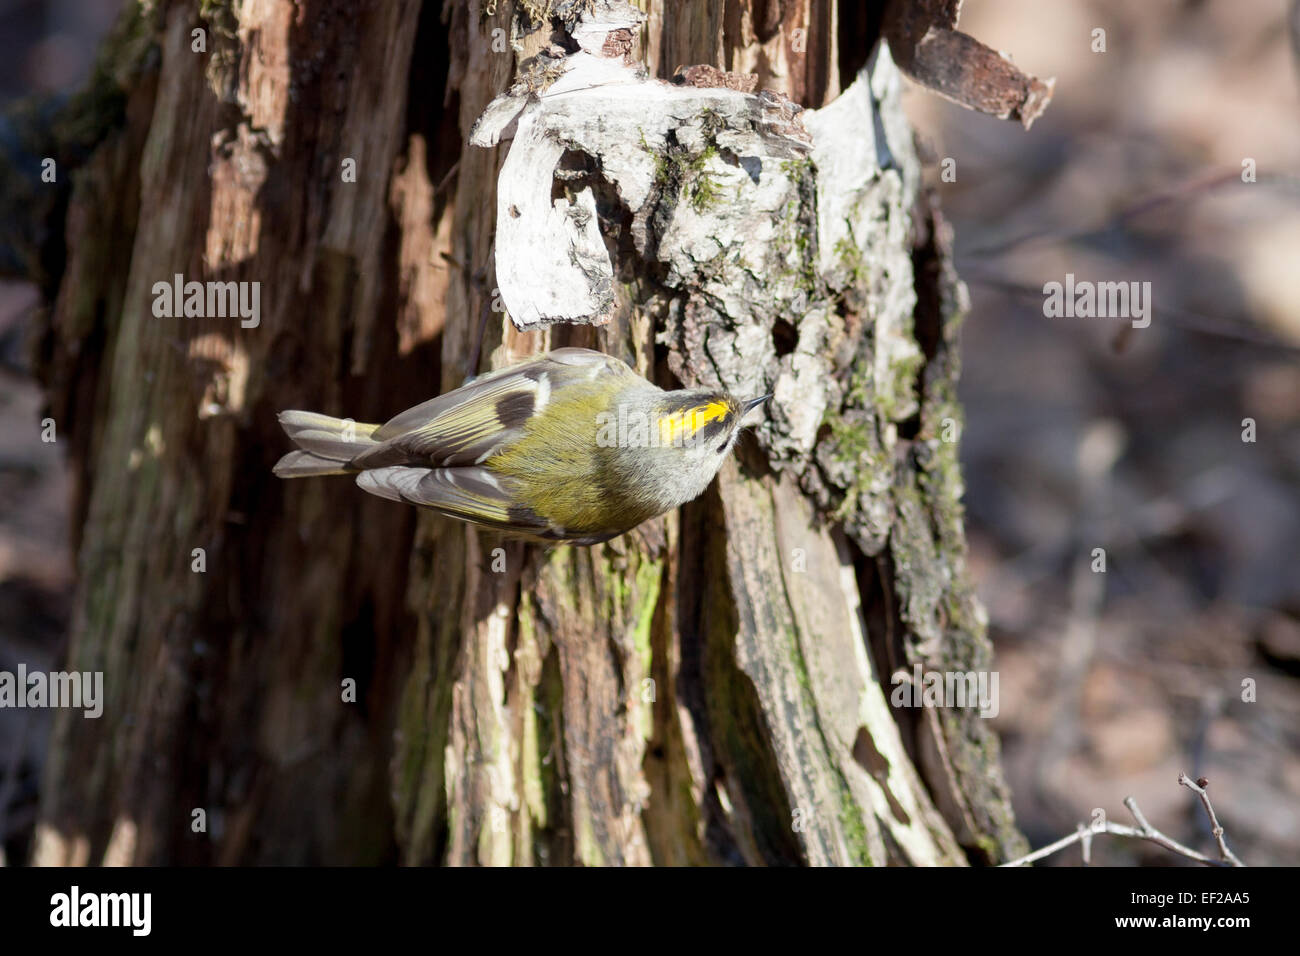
[473, 495]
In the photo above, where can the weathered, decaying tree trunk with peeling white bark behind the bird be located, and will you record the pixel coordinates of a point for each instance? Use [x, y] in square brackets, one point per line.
[709, 689]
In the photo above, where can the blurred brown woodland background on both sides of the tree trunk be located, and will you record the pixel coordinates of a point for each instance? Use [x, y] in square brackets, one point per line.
[1081, 434]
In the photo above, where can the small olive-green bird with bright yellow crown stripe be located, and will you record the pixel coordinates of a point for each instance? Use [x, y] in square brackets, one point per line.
[571, 445]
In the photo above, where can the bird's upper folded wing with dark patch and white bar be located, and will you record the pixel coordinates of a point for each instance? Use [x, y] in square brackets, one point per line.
[463, 427]
